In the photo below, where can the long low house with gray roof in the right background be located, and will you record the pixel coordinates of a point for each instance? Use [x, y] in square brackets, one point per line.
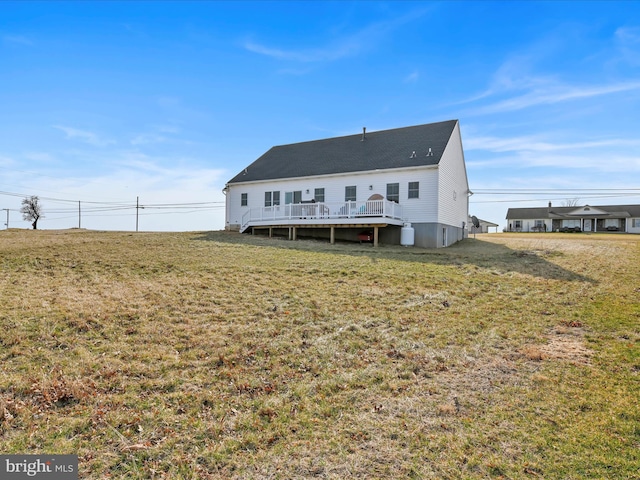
[603, 218]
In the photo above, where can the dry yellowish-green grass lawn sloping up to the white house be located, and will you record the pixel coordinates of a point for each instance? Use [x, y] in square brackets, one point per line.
[218, 355]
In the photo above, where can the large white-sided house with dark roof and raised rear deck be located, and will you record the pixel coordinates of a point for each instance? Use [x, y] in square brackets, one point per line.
[372, 182]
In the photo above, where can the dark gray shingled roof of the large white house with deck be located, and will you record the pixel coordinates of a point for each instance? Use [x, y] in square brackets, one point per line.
[381, 150]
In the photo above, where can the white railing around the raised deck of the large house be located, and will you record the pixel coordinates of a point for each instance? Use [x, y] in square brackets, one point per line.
[323, 212]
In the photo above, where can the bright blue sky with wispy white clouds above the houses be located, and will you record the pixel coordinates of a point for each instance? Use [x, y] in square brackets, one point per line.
[102, 103]
